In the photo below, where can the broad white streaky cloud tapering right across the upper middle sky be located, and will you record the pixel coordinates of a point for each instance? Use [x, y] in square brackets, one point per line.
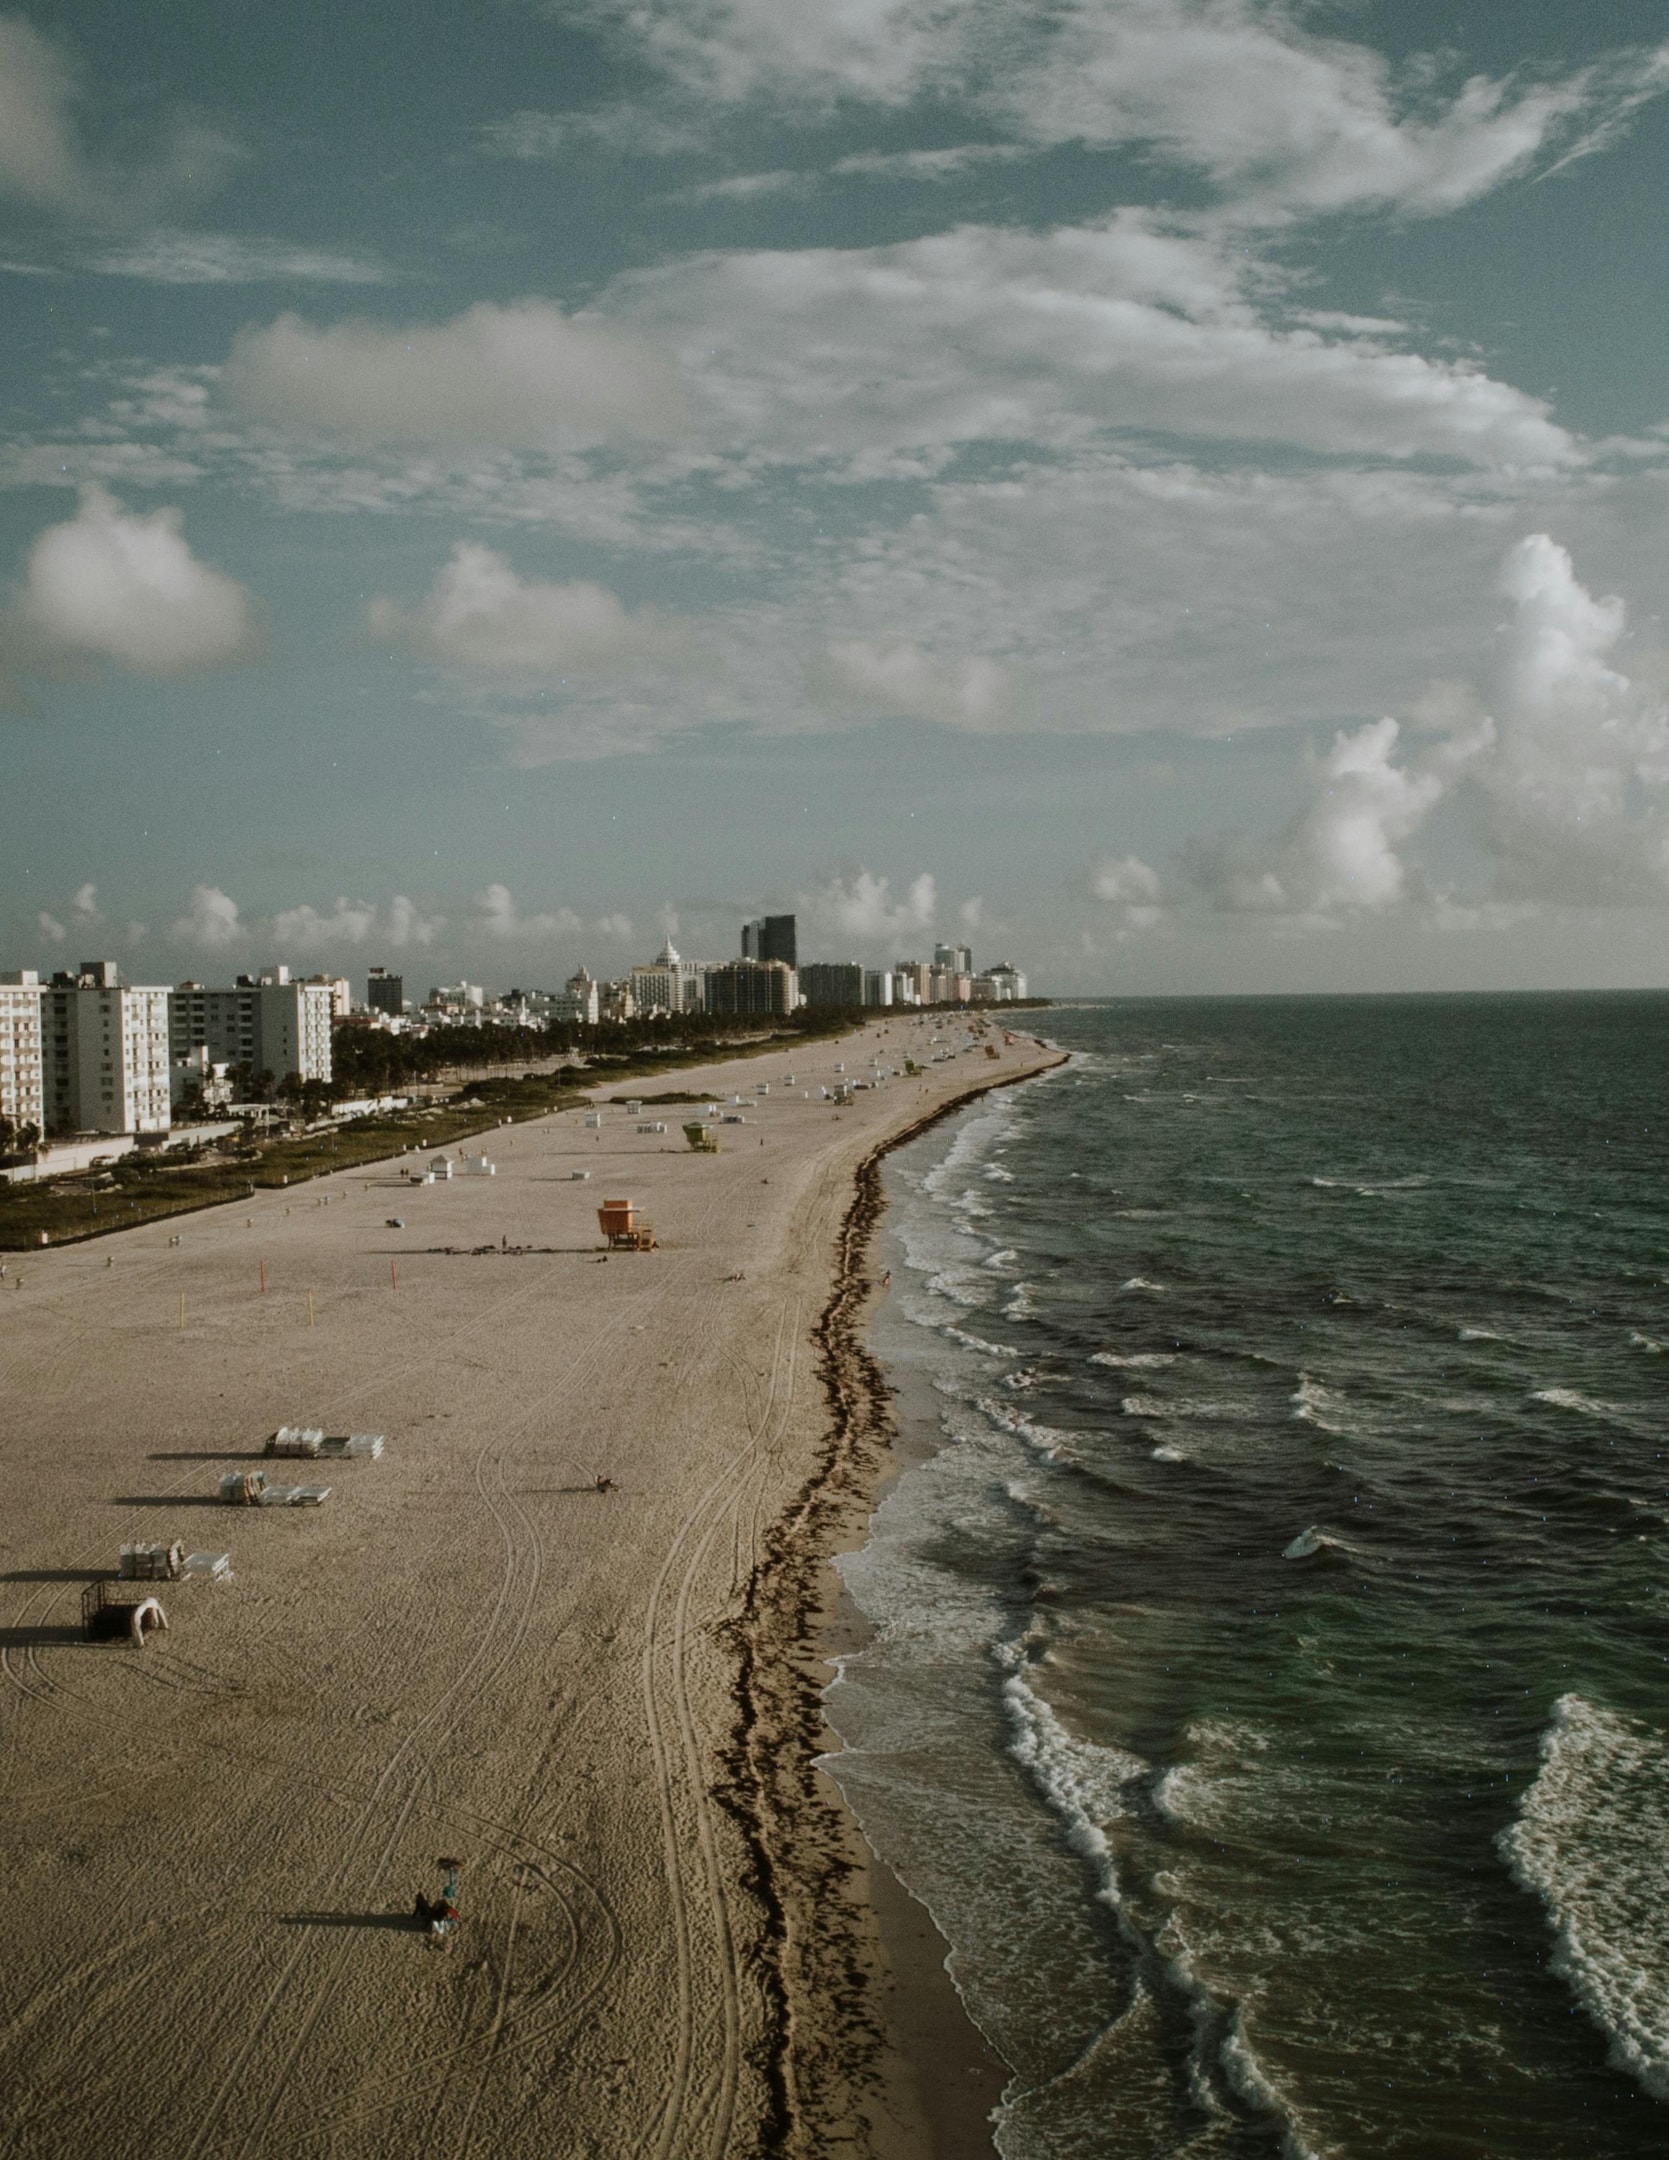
[992, 334]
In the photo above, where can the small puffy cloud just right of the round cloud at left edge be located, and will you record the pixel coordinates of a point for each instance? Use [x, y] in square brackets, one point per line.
[483, 617]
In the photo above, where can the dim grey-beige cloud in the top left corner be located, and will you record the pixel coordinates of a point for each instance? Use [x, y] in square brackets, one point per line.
[46, 165]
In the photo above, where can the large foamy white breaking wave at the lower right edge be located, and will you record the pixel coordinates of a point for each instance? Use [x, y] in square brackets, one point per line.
[1590, 1841]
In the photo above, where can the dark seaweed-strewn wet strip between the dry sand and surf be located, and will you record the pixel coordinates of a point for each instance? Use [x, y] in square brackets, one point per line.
[856, 1988]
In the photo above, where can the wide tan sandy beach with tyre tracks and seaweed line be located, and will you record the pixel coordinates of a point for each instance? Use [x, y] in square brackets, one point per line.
[603, 1703]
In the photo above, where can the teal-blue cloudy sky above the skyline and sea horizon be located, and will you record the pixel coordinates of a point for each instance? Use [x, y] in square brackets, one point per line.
[1165, 491]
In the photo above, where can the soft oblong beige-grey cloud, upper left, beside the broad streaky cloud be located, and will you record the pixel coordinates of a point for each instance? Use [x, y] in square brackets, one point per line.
[521, 375]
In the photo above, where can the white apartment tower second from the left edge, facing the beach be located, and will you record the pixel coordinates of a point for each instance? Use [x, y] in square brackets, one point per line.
[105, 1053]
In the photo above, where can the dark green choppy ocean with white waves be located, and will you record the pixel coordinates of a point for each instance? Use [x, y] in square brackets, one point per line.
[1268, 1688]
